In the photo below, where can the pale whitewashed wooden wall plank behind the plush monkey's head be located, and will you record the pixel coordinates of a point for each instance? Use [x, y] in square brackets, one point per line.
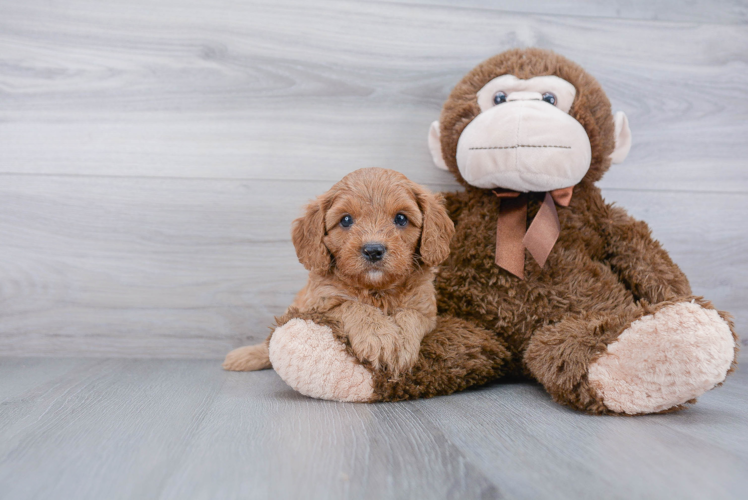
[209, 91]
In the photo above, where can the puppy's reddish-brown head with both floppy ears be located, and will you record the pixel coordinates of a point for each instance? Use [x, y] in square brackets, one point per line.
[373, 228]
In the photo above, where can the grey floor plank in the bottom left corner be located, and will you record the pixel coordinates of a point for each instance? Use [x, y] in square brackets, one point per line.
[109, 429]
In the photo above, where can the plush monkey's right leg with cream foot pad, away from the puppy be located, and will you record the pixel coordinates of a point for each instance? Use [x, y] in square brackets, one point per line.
[635, 361]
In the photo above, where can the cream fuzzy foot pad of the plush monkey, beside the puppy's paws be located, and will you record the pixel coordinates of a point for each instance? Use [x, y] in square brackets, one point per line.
[309, 359]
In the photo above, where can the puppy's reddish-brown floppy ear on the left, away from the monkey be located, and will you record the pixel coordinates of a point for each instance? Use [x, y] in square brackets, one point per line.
[308, 233]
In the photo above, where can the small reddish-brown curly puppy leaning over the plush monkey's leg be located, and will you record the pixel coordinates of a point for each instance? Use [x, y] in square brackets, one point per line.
[371, 244]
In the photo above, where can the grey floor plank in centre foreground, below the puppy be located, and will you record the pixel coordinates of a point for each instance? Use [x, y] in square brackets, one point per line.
[343, 451]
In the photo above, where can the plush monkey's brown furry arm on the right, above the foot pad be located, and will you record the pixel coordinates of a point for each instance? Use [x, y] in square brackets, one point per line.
[640, 261]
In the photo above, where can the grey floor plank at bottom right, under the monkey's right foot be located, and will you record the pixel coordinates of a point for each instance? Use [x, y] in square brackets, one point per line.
[506, 428]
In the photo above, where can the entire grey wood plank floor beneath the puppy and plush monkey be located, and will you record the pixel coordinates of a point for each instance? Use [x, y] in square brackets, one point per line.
[143, 429]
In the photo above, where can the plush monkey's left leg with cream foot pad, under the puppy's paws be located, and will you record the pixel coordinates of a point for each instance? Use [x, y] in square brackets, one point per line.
[312, 356]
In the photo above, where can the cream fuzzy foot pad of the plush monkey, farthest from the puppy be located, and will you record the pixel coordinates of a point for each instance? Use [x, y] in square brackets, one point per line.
[664, 359]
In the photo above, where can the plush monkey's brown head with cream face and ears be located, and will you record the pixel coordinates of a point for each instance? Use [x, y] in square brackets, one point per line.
[528, 121]
